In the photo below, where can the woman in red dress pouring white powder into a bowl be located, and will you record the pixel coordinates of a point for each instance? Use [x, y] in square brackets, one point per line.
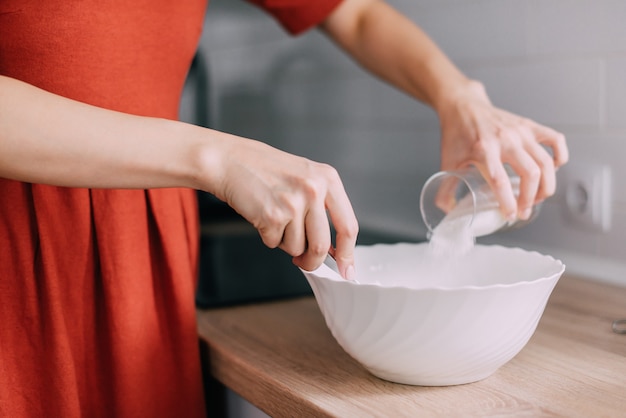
[98, 222]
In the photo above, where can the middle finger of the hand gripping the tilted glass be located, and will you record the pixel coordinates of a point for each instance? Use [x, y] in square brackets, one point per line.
[528, 170]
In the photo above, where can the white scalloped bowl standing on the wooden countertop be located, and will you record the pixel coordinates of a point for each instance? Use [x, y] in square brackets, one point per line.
[416, 321]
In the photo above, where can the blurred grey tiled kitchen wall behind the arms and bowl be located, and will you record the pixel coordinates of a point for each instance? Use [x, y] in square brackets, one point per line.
[559, 62]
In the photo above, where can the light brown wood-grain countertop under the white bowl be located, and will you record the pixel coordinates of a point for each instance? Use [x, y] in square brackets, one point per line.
[281, 357]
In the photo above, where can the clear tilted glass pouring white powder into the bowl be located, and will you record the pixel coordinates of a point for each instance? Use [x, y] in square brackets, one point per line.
[465, 197]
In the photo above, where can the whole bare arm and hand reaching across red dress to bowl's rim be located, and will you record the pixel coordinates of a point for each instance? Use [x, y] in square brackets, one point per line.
[73, 144]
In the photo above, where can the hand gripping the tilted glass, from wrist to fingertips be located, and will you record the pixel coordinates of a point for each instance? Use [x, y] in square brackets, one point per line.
[475, 132]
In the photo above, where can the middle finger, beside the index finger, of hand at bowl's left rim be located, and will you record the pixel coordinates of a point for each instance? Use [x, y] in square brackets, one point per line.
[317, 239]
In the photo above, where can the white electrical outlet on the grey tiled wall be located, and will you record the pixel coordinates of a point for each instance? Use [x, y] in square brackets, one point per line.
[587, 195]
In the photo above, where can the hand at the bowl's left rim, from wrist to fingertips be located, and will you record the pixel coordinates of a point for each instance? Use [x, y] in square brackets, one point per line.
[289, 199]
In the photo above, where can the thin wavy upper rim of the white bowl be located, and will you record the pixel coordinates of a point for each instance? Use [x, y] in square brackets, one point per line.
[342, 282]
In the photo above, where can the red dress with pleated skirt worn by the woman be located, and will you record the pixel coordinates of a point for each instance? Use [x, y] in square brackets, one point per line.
[97, 312]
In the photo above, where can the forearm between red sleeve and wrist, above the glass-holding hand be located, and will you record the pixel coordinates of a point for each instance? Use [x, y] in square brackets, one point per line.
[394, 48]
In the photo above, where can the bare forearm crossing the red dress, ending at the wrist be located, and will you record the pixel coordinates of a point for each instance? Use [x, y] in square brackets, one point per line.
[45, 138]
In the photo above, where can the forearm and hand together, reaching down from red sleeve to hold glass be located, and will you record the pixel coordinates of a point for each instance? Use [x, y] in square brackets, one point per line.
[473, 130]
